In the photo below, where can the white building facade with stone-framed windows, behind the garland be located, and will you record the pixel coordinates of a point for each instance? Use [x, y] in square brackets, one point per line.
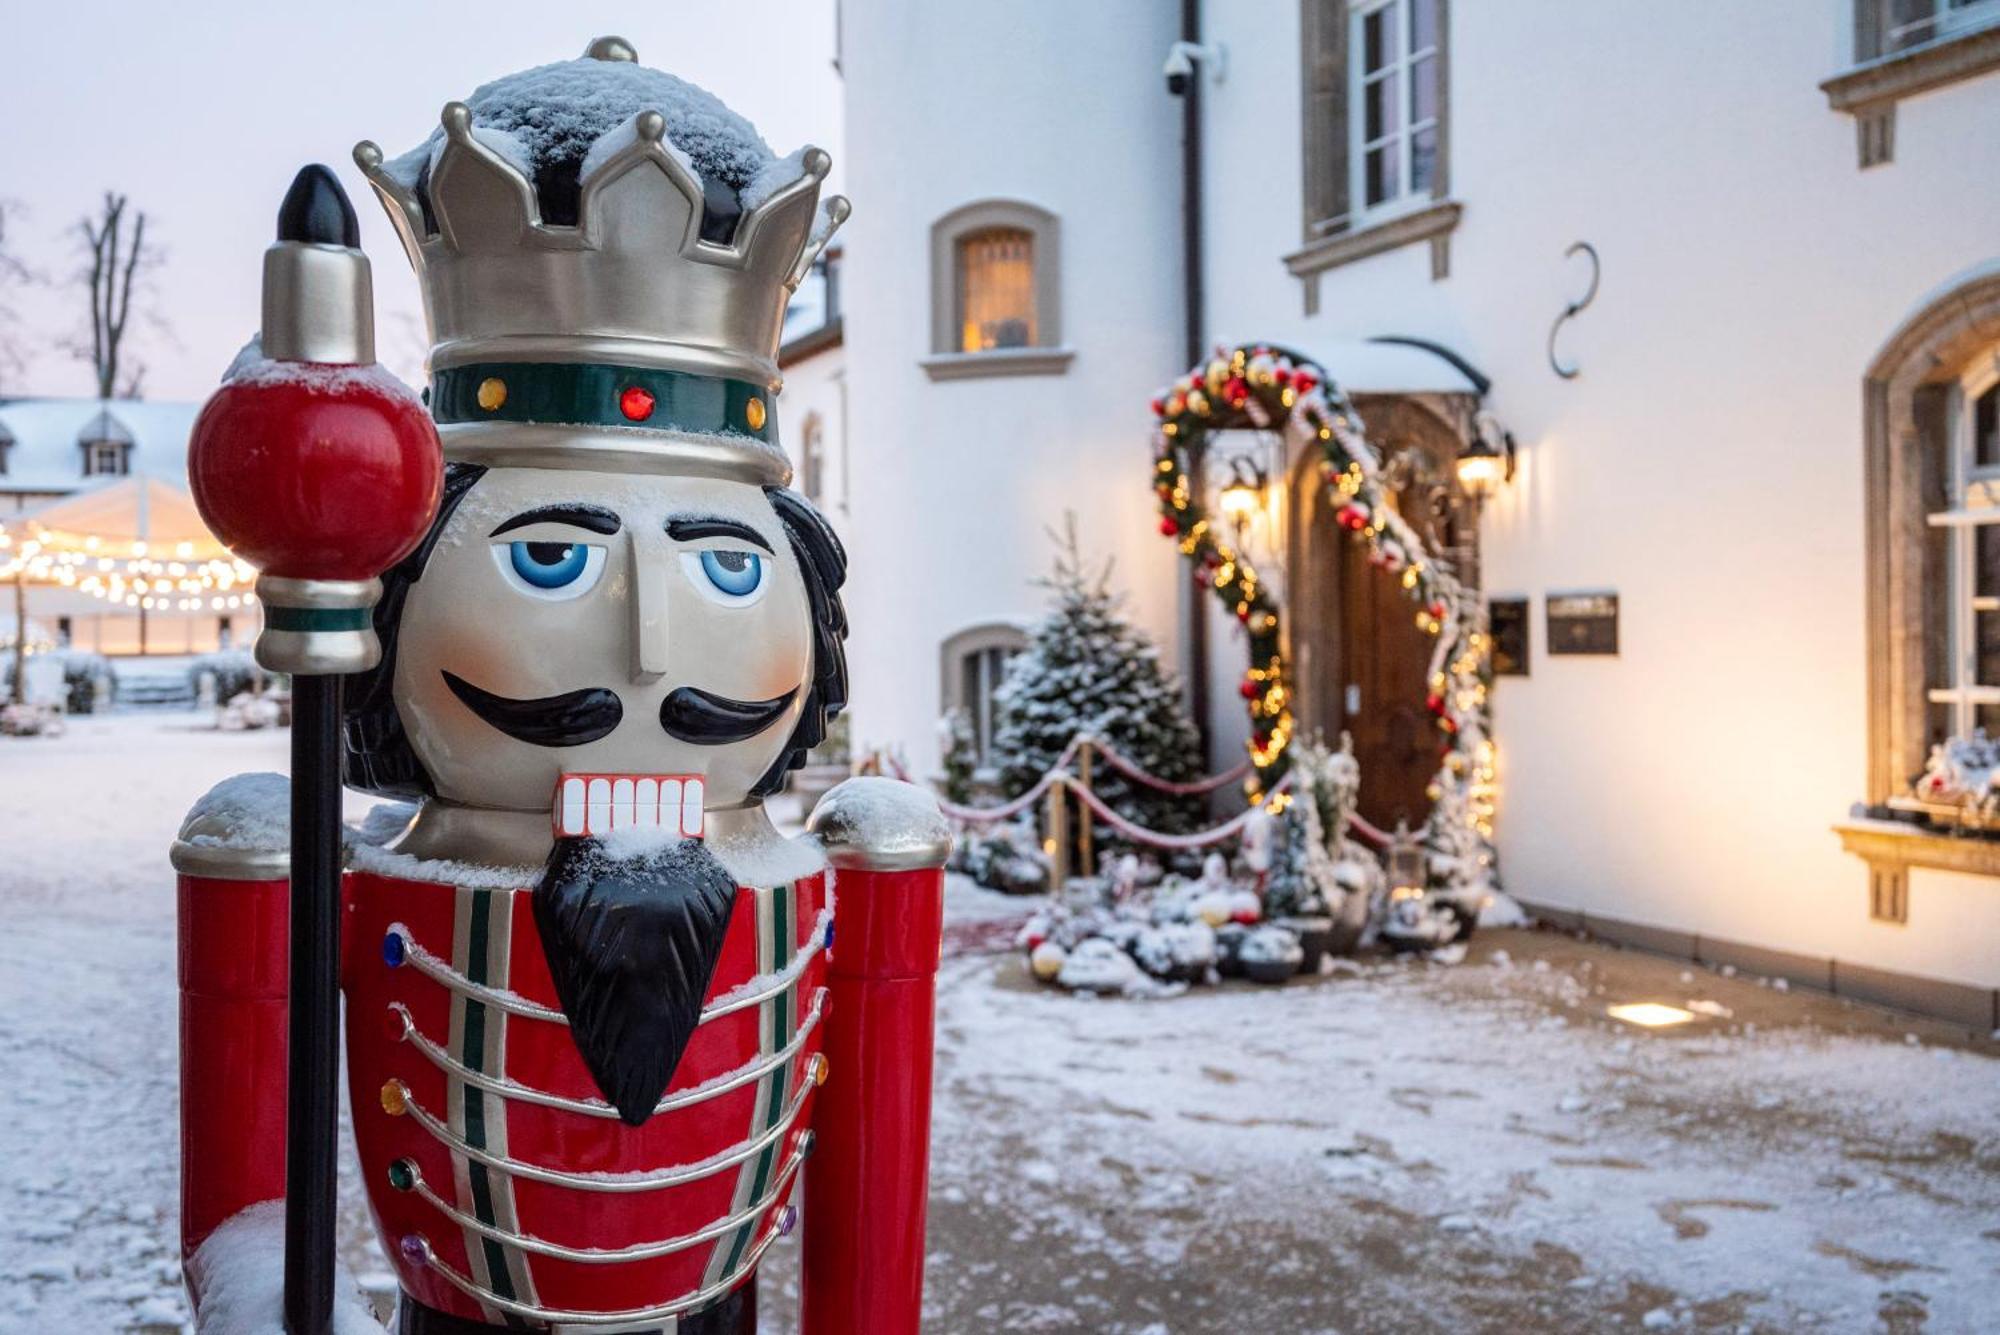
[1775, 449]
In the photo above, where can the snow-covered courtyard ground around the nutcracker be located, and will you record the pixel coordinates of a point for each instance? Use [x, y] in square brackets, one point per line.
[1397, 1148]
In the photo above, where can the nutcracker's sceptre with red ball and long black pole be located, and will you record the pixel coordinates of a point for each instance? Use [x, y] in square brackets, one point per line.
[321, 471]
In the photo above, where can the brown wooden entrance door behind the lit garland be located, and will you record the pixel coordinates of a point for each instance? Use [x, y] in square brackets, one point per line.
[1361, 663]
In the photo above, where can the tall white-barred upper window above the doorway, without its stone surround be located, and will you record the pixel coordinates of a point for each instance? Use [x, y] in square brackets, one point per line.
[1393, 121]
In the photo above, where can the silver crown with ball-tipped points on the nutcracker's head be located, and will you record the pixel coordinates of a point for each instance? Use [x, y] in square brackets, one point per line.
[633, 281]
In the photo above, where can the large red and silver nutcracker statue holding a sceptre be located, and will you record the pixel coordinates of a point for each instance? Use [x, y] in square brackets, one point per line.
[603, 1024]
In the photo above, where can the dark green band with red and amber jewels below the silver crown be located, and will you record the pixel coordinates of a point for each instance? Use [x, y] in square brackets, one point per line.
[599, 395]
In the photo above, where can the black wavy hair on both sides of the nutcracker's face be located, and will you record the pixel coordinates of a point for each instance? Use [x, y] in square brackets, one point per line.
[377, 750]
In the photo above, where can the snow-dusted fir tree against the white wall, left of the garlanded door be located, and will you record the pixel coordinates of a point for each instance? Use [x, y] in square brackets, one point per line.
[1087, 670]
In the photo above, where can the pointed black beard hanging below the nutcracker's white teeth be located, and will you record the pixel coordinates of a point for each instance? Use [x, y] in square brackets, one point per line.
[633, 944]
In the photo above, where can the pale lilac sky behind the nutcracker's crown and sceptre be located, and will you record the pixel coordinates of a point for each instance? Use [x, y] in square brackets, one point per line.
[201, 111]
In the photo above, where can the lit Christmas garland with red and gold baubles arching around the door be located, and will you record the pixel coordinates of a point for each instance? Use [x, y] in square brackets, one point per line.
[1267, 389]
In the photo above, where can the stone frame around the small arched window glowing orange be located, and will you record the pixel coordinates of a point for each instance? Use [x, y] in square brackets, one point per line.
[1049, 353]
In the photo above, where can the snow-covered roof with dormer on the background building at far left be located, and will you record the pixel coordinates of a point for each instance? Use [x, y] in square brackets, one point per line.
[47, 433]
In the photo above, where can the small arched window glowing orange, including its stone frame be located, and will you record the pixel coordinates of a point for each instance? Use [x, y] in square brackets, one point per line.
[995, 293]
